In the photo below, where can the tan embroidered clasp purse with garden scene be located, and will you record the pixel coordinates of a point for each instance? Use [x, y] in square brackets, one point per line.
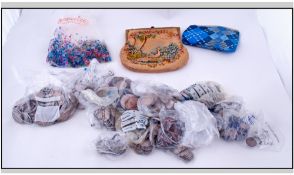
[154, 50]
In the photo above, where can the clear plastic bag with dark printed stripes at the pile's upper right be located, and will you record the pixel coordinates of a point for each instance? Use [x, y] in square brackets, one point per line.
[208, 93]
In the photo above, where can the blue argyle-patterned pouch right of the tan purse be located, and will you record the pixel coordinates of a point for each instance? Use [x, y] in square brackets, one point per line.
[216, 38]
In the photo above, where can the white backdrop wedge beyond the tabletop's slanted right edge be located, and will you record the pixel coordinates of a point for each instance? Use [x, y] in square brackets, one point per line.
[277, 26]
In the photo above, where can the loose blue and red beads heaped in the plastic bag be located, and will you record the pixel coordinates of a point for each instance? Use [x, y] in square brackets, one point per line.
[65, 52]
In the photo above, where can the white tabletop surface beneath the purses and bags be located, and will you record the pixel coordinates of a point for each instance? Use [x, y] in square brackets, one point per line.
[249, 72]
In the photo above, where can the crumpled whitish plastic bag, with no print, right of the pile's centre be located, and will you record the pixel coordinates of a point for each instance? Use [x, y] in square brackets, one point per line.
[199, 123]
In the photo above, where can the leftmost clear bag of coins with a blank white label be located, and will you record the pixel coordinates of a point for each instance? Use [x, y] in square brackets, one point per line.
[49, 105]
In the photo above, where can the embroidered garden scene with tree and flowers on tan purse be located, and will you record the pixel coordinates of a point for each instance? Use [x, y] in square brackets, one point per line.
[160, 55]
